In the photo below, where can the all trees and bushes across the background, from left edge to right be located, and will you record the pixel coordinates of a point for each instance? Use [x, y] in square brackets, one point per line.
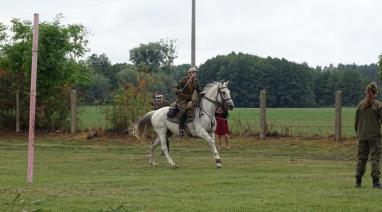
[62, 66]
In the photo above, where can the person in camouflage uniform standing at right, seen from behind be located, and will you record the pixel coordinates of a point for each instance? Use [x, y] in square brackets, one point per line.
[368, 128]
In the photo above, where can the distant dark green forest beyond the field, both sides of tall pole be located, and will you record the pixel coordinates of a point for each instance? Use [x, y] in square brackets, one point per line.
[288, 84]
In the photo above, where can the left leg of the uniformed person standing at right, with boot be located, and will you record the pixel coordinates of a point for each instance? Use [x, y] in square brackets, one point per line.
[362, 156]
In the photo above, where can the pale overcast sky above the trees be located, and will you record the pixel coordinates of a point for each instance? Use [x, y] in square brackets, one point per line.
[319, 32]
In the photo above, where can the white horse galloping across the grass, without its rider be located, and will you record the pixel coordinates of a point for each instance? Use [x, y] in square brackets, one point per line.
[203, 125]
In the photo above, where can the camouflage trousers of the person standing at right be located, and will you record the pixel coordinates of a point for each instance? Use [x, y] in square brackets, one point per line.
[372, 146]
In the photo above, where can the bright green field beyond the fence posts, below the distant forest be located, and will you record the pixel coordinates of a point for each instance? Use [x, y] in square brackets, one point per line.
[286, 121]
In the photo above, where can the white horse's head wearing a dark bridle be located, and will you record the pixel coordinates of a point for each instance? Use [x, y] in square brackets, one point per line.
[219, 93]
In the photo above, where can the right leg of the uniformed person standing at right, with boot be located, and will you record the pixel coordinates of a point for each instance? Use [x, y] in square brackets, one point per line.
[375, 155]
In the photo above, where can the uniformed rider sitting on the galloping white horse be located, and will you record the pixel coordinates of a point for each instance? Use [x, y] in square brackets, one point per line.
[184, 92]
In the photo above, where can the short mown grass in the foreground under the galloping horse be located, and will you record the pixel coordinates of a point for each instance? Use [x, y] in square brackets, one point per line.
[72, 174]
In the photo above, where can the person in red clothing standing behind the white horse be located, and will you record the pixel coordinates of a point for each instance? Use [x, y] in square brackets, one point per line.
[222, 126]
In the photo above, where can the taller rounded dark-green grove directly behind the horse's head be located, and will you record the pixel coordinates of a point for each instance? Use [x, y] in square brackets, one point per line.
[287, 84]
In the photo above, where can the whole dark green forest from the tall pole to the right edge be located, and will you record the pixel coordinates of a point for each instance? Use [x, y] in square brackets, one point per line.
[287, 84]
